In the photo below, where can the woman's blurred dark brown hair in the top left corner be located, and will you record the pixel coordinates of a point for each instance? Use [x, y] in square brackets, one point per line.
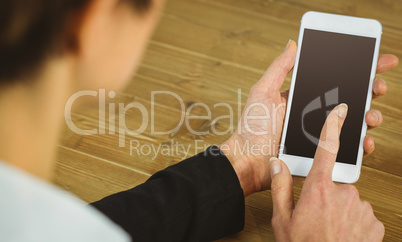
[33, 30]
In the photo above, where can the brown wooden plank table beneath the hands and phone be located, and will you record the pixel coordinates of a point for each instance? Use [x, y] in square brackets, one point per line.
[205, 51]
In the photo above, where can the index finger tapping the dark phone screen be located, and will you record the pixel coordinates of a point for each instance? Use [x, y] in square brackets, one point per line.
[328, 145]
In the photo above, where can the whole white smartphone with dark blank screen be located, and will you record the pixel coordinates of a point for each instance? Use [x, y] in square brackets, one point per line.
[336, 63]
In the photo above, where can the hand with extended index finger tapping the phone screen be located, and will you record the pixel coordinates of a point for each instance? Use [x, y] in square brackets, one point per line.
[325, 211]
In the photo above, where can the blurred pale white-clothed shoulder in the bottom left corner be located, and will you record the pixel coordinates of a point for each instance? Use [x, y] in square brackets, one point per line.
[33, 210]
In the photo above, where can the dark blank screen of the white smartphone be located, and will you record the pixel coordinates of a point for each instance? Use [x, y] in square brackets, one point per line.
[333, 68]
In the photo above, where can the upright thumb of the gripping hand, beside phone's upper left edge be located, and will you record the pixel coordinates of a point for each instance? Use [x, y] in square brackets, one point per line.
[276, 73]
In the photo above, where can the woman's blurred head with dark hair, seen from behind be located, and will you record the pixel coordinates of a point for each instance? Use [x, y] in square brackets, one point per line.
[105, 38]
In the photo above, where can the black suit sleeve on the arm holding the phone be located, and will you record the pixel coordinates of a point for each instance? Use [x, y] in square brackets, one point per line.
[198, 199]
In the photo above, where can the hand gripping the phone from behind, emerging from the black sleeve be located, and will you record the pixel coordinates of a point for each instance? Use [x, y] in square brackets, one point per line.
[253, 171]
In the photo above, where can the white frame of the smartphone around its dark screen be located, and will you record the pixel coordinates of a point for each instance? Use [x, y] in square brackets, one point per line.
[301, 166]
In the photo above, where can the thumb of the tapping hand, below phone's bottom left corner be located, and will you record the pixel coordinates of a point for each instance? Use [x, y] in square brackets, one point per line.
[281, 190]
